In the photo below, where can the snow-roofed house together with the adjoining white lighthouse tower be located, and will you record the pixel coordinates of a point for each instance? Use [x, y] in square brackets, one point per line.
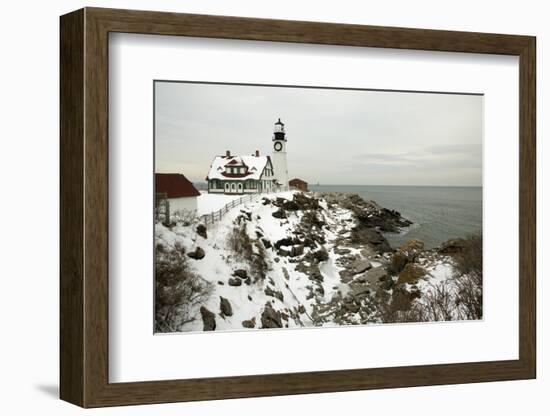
[248, 174]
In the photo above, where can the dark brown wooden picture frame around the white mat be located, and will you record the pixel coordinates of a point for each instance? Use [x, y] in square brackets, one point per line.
[84, 207]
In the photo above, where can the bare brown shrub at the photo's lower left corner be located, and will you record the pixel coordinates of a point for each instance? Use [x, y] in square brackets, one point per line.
[178, 291]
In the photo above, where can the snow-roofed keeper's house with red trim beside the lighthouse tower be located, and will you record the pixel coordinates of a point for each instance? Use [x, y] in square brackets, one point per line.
[245, 174]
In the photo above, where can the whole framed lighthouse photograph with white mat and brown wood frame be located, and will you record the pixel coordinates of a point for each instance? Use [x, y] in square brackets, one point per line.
[255, 207]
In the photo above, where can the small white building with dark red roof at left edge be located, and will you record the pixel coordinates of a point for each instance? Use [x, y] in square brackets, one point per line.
[178, 190]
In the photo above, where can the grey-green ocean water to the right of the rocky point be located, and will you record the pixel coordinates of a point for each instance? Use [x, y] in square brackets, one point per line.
[438, 213]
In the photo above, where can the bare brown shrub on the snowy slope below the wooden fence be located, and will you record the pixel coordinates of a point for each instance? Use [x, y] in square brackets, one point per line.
[249, 250]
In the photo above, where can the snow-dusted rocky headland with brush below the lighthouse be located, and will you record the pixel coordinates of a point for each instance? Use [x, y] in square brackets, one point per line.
[322, 259]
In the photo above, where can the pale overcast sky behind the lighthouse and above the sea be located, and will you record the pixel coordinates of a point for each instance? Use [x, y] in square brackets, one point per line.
[334, 136]
